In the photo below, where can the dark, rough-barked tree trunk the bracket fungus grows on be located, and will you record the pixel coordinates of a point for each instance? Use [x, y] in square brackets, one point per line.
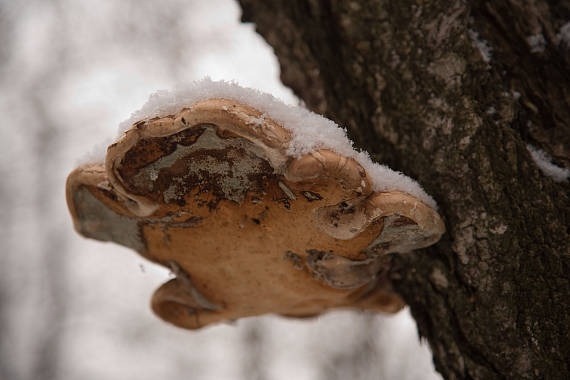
[409, 82]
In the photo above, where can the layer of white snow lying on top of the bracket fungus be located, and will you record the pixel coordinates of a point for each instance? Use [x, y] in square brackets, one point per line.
[310, 131]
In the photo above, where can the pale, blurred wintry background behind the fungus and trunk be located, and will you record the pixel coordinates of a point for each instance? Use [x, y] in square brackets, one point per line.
[71, 308]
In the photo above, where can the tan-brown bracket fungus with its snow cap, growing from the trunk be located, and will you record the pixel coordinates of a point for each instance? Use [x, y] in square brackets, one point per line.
[253, 213]
